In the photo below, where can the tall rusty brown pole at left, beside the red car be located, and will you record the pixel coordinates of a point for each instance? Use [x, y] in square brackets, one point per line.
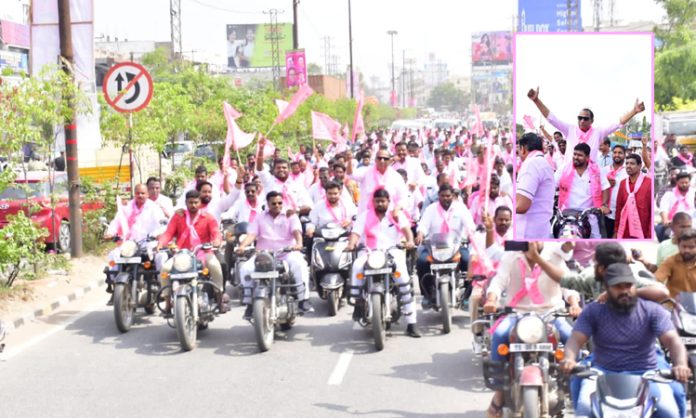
[66, 52]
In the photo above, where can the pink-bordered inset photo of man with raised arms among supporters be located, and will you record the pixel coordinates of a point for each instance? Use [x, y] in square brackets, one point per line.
[583, 110]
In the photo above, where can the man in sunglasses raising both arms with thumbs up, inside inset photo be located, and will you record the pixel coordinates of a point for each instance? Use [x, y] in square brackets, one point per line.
[584, 132]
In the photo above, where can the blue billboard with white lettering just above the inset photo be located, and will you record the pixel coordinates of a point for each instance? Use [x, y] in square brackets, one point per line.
[549, 16]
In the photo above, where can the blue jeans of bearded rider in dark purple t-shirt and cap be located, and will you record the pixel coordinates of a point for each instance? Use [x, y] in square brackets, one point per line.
[666, 407]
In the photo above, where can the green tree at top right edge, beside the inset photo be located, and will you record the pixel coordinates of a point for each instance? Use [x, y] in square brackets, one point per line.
[675, 60]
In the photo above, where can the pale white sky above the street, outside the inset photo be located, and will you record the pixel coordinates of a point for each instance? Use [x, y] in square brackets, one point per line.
[442, 27]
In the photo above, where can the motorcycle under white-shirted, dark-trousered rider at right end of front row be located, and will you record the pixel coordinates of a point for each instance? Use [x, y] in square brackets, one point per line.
[444, 256]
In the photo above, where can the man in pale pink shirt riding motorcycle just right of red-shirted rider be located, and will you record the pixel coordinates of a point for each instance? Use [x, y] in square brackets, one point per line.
[274, 230]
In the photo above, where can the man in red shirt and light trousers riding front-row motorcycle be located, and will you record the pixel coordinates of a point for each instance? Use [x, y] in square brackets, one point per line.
[192, 228]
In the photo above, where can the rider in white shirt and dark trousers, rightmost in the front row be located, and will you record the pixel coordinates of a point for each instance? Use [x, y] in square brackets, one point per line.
[446, 216]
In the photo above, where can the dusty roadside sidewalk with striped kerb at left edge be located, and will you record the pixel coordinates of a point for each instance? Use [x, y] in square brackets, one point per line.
[54, 291]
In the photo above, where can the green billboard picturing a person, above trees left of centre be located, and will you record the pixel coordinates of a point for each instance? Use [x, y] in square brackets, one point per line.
[250, 46]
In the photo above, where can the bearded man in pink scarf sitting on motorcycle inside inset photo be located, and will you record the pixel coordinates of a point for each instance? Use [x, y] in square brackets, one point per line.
[583, 188]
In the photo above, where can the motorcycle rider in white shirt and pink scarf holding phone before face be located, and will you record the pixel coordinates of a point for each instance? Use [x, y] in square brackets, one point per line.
[541, 294]
